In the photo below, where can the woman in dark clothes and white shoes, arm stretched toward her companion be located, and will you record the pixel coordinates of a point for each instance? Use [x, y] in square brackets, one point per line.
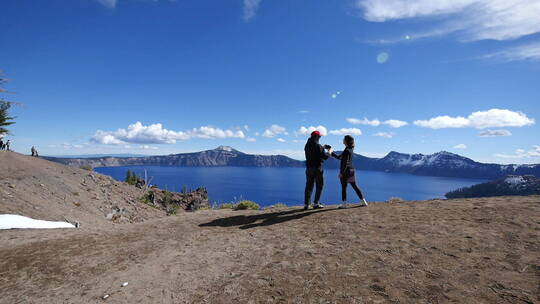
[347, 171]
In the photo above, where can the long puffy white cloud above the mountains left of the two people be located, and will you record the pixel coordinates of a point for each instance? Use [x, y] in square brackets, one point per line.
[155, 134]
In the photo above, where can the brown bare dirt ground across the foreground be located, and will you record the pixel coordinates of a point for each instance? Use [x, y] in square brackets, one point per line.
[460, 251]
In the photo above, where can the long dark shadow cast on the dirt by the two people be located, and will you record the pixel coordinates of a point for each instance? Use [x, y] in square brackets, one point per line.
[266, 219]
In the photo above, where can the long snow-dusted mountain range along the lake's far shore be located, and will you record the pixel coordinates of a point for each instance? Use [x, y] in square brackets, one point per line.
[439, 164]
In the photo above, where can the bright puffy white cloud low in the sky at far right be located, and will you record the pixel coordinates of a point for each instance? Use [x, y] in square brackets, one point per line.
[482, 119]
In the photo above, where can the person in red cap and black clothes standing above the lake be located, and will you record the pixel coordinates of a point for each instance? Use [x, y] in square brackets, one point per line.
[315, 156]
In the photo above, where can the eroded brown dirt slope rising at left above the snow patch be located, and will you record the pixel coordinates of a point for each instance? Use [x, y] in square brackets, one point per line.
[45, 190]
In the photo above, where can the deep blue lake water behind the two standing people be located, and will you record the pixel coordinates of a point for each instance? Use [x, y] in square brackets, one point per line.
[268, 186]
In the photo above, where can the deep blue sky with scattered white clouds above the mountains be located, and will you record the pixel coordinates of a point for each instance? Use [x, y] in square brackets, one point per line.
[160, 77]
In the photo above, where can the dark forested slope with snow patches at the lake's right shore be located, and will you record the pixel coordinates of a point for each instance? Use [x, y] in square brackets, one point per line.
[510, 185]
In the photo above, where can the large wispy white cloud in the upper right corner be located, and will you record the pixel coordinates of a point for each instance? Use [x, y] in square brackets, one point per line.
[472, 19]
